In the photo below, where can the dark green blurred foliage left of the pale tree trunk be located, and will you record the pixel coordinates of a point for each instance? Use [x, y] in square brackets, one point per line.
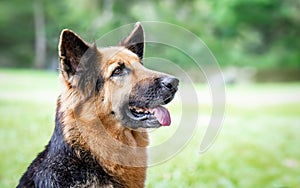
[16, 41]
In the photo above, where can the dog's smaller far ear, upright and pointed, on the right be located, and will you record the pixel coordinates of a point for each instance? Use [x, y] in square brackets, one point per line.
[135, 40]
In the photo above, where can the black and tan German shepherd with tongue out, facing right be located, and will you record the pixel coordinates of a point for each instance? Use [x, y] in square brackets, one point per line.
[109, 99]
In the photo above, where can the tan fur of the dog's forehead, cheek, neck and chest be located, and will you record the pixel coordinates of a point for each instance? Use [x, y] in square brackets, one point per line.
[121, 151]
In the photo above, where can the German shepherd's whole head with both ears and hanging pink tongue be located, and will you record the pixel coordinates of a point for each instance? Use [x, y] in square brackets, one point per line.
[114, 79]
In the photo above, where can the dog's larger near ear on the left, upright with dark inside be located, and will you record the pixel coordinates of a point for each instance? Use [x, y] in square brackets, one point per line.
[71, 49]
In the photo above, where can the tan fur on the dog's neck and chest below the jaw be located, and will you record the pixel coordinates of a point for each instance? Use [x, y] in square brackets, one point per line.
[121, 151]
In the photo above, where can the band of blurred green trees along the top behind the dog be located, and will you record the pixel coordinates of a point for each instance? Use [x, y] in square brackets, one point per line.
[259, 33]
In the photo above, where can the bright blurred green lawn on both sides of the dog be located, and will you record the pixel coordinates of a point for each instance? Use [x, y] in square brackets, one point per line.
[258, 145]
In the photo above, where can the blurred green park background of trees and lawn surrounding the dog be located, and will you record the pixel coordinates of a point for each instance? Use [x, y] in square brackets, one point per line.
[256, 44]
